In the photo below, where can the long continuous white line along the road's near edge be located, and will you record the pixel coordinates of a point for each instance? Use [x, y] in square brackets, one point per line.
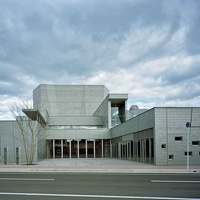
[95, 196]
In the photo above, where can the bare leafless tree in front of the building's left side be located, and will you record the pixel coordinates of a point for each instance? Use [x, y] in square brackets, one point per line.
[29, 129]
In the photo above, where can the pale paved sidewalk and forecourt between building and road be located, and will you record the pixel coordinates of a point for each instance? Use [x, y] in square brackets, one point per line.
[97, 165]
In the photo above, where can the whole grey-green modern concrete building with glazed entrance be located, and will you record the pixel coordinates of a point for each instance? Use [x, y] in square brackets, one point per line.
[86, 121]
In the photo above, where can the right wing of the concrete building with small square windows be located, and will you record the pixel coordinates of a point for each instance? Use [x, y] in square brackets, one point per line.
[159, 136]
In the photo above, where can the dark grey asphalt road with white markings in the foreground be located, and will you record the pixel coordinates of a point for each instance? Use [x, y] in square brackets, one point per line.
[54, 186]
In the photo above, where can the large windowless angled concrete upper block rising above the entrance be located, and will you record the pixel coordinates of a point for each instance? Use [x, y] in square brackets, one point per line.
[69, 100]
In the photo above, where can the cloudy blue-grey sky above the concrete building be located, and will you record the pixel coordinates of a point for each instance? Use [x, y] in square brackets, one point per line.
[148, 49]
